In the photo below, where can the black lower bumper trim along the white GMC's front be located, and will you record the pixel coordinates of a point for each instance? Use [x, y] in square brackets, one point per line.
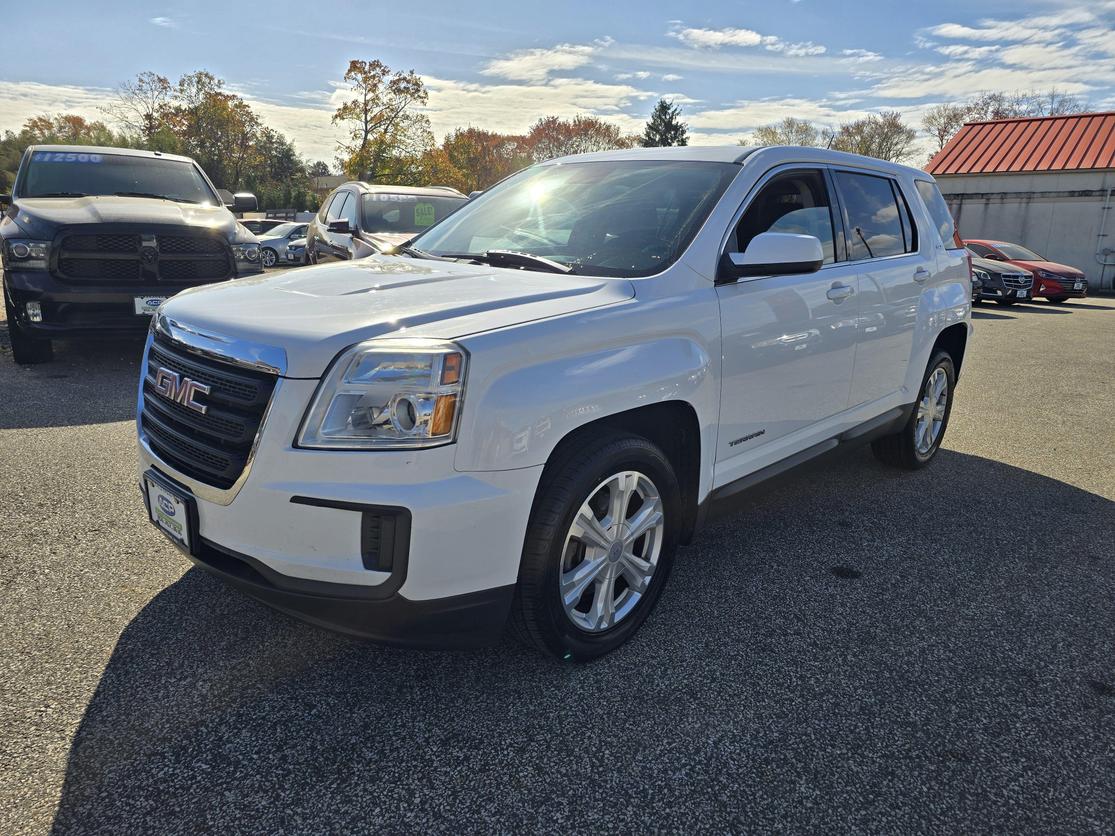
[461, 621]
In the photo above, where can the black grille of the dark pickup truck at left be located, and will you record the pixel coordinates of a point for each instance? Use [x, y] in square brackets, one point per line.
[142, 258]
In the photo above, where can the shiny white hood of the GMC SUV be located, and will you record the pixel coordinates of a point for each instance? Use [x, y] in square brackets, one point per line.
[315, 313]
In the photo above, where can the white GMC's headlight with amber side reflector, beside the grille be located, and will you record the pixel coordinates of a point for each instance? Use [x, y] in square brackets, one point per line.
[389, 395]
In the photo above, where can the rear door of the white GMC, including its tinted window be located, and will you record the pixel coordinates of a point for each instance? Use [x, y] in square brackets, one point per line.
[894, 266]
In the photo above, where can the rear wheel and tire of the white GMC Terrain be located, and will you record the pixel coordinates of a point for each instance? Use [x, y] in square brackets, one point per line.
[916, 445]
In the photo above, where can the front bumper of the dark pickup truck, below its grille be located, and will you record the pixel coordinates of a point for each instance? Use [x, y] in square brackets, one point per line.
[81, 310]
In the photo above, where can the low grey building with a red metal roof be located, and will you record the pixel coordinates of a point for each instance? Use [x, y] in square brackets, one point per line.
[1048, 183]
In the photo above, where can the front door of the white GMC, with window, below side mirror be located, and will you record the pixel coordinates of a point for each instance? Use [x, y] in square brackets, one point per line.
[789, 342]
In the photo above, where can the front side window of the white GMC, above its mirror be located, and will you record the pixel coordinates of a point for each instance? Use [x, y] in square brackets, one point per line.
[794, 202]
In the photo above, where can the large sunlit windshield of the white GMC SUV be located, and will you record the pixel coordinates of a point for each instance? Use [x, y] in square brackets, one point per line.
[626, 218]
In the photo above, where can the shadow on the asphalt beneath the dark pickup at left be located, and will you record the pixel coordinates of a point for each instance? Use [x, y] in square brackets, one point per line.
[92, 382]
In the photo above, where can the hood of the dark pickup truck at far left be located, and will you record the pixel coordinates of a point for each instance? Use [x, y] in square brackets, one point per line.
[36, 215]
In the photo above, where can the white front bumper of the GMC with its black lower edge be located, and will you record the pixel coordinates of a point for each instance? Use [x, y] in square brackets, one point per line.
[300, 517]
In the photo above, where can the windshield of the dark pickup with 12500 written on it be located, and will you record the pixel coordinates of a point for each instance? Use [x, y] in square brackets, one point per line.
[67, 174]
